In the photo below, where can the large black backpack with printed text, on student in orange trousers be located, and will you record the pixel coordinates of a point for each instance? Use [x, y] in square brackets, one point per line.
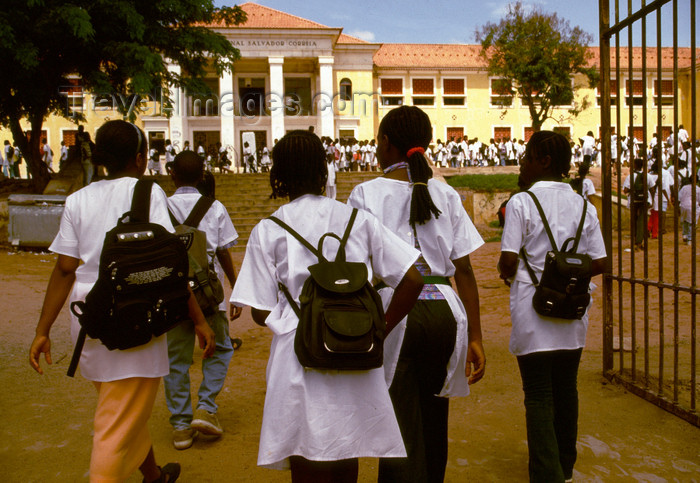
[141, 290]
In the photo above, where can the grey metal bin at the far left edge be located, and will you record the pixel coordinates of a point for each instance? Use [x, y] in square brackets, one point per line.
[34, 219]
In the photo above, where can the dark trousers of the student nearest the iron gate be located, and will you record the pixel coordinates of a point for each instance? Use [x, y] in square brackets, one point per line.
[551, 412]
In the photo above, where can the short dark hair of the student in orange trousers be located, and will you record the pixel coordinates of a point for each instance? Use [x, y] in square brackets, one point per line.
[116, 144]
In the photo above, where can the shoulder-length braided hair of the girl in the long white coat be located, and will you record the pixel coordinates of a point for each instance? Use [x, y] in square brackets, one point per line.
[298, 166]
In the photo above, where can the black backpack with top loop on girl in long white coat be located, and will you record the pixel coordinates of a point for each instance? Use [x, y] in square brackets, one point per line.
[341, 317]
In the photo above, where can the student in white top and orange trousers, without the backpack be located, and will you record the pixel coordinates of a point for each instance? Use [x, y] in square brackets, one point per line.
[126, 380]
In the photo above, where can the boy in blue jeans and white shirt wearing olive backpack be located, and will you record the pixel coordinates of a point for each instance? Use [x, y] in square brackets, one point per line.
[193, 215]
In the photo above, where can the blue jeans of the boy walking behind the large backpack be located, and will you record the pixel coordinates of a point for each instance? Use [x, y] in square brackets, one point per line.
[177, 384]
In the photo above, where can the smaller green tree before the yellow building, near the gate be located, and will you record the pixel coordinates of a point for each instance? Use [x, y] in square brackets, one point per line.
[537, 55]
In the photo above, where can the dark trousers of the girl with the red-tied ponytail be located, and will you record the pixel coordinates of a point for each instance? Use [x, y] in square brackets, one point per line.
[420, 374]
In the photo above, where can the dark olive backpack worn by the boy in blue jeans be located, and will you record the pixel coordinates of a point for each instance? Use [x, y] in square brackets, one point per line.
[202, 277]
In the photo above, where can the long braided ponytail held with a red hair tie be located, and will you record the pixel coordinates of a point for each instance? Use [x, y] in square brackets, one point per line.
[408, 127]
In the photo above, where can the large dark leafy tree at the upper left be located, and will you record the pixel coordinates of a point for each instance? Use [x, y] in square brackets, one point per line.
[121, 47]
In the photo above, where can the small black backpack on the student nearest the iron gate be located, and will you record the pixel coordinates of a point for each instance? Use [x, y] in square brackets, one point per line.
[562, 291]
